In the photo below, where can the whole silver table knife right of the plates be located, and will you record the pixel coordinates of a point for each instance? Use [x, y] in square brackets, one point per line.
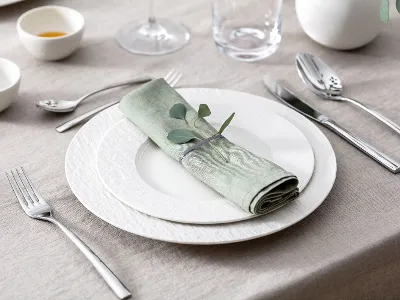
[291, 100]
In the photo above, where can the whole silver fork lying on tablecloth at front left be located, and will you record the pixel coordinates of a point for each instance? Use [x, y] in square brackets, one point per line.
[35, 207]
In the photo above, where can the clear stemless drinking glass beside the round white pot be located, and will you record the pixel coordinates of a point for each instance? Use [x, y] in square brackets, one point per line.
[247, 31]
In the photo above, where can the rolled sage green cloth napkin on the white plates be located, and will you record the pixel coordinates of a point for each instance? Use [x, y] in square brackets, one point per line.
[255, 184]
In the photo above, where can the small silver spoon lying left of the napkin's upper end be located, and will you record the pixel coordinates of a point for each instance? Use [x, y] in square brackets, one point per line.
[64, 106]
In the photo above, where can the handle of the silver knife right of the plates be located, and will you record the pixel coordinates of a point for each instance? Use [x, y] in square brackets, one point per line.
[375, 154]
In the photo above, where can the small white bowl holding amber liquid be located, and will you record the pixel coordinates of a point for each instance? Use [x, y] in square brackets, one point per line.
[51, 18]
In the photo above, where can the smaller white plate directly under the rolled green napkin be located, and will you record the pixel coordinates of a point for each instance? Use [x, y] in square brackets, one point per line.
[141, 175]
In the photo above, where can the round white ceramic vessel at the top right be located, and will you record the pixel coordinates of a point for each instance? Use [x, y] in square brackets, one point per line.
[340, 24]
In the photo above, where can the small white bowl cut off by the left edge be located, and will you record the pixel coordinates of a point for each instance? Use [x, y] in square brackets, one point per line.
[10, 77]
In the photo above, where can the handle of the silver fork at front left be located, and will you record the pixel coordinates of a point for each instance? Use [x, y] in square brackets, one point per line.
[113, 282]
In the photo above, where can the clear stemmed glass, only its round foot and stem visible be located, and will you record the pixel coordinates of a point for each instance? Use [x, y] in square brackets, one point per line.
[154, 36]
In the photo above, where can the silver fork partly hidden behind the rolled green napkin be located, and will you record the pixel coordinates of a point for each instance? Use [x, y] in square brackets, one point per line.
[172, 78]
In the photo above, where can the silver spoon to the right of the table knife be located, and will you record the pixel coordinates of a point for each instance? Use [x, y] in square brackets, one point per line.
[323, 81]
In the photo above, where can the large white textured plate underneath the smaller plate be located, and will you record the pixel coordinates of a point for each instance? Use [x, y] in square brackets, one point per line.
[81, 172]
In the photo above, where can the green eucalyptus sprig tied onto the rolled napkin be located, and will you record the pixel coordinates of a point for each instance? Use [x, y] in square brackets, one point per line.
[183, 136]
